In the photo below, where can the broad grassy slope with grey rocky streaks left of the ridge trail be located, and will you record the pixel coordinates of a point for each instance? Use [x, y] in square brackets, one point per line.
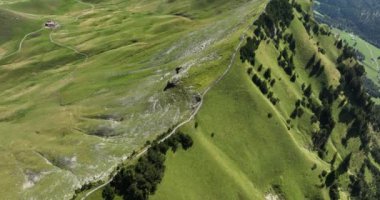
[52, 102]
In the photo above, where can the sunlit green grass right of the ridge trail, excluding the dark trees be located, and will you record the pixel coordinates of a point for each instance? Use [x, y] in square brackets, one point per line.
[250, 150]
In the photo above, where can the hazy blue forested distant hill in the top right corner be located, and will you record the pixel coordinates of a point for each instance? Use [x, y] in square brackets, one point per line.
[361, 17]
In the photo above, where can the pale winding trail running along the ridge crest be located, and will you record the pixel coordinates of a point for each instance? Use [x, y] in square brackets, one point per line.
[192, 116]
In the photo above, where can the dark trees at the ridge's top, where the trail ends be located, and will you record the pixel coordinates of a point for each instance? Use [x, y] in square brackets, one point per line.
[278, 16]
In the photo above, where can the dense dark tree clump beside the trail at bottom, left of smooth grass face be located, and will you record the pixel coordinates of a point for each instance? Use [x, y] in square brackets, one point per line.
[138, 181]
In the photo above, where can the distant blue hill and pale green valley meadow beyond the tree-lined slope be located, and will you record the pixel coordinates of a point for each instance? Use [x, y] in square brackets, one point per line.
[355, 22]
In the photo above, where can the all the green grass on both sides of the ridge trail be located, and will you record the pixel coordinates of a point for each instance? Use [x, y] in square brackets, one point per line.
[58, 110]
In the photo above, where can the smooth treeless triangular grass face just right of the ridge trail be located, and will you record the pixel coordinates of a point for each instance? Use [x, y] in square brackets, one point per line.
[248, 155]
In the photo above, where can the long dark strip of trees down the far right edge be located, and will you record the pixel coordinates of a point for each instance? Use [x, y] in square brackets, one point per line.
[359, 111]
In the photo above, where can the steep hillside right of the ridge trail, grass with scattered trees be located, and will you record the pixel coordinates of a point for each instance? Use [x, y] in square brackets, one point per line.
[245, 147]
